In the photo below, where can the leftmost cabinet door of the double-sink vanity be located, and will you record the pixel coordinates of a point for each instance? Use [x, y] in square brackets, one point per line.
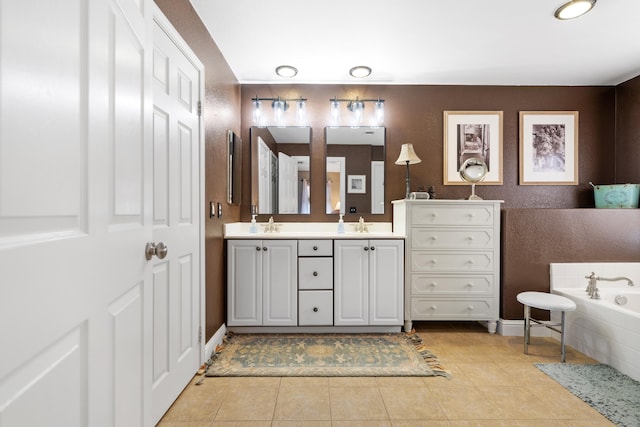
[244, 283]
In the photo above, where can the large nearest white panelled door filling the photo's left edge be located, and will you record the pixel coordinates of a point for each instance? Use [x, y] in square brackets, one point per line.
[74, 219]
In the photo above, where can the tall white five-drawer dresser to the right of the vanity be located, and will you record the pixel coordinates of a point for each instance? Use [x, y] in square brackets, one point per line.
[452, 262]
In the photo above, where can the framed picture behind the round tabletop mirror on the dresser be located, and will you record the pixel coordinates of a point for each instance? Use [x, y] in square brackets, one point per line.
[470, 134]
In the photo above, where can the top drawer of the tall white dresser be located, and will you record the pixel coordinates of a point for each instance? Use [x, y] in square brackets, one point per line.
[471, 214]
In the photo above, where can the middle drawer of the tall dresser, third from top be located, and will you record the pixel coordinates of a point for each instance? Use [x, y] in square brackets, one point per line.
[455, 262]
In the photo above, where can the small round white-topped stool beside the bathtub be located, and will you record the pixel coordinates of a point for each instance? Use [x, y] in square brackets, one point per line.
[545, 301]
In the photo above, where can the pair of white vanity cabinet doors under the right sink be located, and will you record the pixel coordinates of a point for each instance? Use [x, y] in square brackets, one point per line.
[368, 277]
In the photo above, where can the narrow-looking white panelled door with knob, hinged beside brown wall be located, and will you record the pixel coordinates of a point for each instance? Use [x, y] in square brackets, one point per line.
[175, 286]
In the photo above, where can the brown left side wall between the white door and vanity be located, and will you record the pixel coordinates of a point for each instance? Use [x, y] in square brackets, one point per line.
[221, 113]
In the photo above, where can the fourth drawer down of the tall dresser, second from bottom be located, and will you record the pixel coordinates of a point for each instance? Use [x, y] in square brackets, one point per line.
[422, 284]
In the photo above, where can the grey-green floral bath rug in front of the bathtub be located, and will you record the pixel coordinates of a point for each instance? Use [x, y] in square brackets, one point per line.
[613, 394]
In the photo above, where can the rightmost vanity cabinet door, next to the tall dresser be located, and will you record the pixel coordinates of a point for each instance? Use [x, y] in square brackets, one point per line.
[386, 282]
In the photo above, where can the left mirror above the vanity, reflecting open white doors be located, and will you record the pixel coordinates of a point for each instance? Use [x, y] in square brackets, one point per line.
[280, 169]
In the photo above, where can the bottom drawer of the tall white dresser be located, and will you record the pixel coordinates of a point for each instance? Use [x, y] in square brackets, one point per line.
[450, 309]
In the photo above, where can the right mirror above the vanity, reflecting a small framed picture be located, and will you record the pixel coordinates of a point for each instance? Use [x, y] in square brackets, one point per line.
[355, 169]
